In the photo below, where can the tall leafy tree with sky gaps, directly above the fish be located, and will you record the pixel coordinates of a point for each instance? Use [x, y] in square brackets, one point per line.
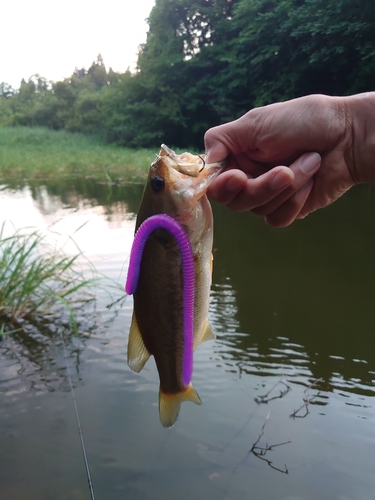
[164, 100]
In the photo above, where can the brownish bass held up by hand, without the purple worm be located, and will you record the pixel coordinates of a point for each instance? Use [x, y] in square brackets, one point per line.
[176, 187]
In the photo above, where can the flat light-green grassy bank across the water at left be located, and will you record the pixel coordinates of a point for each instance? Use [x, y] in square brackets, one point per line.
[40, 153]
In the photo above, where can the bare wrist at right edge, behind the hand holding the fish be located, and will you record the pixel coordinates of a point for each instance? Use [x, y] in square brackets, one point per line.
[360, 116]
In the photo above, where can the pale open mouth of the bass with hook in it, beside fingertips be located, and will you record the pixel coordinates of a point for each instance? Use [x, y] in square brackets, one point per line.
[191, 170]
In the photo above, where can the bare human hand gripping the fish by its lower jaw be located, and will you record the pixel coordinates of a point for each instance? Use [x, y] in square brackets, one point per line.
[285, 160]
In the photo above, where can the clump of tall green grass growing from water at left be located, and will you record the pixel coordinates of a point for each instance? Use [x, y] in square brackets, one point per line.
[39, 282]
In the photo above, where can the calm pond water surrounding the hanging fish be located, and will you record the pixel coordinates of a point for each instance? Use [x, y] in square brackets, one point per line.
[293, 364]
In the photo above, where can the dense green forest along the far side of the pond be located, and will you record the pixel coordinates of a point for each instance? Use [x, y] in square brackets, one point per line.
[206, 62]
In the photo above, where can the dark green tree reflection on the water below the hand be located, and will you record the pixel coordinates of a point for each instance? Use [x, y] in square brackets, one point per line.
[301, 299]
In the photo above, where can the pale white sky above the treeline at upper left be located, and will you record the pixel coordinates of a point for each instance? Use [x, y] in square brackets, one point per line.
[51, 38]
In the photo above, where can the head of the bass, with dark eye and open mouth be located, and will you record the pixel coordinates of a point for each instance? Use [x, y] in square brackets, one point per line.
[177, 185]
